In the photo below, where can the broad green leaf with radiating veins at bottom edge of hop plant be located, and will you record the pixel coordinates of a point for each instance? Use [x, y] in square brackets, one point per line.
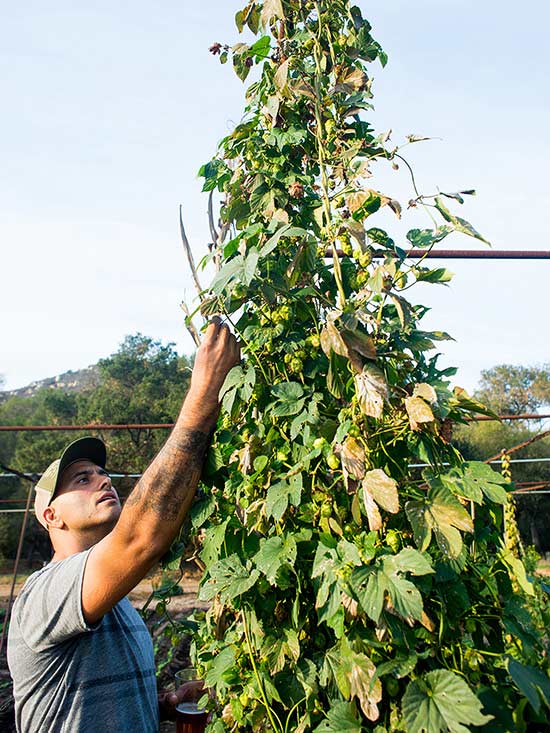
[441, 702]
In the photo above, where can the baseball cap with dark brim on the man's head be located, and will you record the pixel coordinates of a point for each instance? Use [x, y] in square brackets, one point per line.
[91, 449]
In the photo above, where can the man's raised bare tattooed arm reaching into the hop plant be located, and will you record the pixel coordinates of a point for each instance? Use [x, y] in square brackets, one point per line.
[154, 511]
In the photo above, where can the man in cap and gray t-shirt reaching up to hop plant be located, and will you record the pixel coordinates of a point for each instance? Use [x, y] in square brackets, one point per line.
[79, 654]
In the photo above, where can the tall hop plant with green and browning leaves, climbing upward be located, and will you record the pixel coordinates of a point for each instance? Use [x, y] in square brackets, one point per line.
[349, 592]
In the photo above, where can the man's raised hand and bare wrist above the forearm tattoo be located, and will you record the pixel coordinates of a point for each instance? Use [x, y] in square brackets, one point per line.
[218, 353]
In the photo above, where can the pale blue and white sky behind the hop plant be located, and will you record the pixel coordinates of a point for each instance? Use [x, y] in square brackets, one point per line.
[109, 109]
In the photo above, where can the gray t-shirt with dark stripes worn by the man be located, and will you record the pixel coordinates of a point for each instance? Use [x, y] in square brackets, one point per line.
[70, 677]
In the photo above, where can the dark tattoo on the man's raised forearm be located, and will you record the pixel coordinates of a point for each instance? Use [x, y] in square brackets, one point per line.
[172, 477]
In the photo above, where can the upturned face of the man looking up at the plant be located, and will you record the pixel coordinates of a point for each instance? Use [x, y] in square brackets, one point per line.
[86, 499]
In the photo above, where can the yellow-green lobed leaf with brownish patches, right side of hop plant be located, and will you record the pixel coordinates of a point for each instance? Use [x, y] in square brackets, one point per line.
[442, 514]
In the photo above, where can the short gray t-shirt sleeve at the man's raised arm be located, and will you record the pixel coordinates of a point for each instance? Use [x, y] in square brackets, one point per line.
[49, 608]
